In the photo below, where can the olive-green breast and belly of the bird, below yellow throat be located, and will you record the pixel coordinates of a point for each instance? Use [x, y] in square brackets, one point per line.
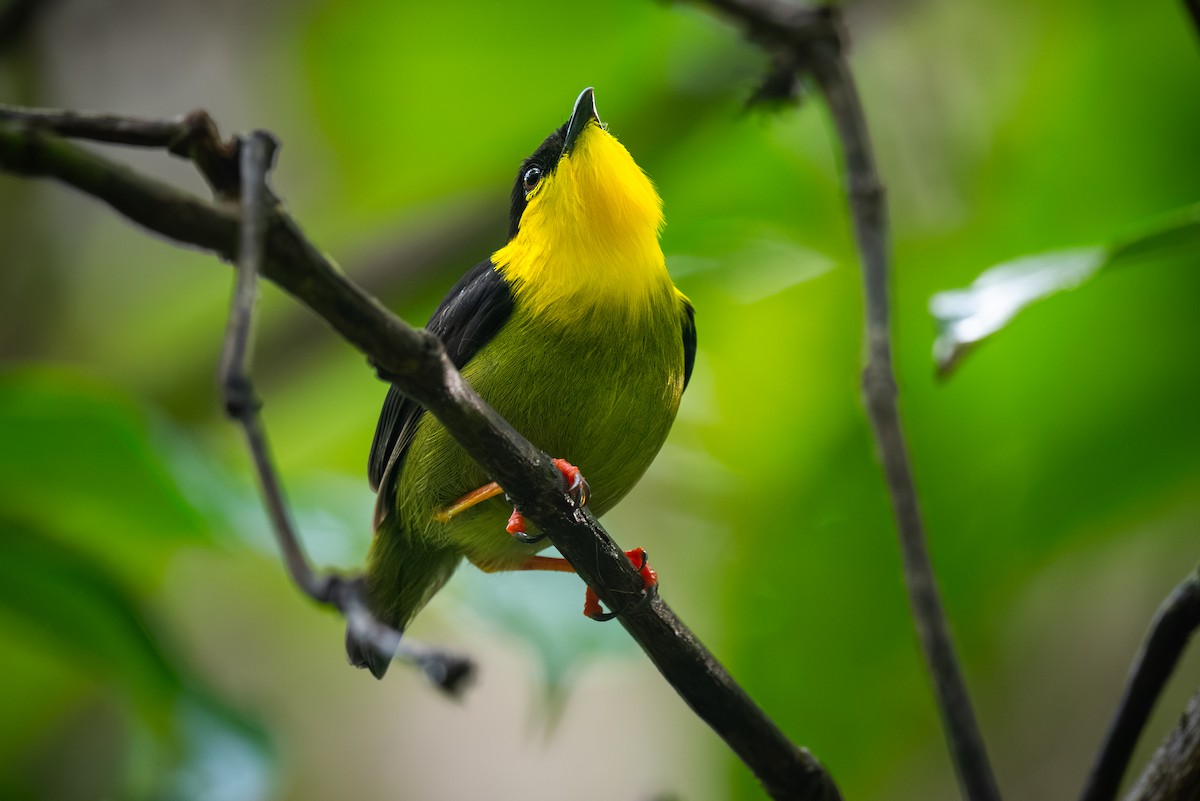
[601, 393]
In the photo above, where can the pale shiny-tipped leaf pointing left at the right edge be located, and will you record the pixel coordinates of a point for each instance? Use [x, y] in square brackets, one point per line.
[967, 317]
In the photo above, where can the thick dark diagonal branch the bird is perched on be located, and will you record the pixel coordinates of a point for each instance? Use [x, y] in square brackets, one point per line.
[416, 362]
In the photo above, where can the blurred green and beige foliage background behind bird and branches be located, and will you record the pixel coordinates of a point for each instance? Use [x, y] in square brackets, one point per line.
[151, 646]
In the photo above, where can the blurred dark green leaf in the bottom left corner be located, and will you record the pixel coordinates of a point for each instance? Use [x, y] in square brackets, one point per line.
[187, 744]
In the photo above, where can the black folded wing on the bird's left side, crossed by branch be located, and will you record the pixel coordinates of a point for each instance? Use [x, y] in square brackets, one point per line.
[470, 316]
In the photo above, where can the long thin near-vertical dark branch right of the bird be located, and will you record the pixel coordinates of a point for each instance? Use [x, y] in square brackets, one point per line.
[812, 40]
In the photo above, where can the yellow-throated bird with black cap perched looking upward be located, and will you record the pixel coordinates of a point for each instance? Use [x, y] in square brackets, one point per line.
[575, 334]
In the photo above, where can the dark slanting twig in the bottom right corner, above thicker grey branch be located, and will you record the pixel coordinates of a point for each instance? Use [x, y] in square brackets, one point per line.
[1177, 621]
